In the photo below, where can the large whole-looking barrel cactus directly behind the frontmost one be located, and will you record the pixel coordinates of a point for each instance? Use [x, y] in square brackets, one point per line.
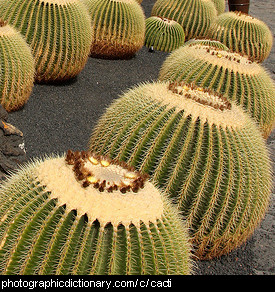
[205, 152]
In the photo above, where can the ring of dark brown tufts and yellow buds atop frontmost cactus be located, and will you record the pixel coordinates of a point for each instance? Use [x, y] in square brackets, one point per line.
[78, 159]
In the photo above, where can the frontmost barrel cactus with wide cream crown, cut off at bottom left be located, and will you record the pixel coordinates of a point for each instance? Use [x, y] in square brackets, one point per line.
[85, 214]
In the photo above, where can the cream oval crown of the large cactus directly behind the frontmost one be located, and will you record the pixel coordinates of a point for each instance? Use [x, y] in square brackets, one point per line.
[198, 103]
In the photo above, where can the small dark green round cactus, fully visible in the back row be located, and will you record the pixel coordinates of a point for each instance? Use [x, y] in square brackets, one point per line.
[163, 34]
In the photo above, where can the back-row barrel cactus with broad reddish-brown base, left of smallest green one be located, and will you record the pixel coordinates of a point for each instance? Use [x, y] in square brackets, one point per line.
[118, 28]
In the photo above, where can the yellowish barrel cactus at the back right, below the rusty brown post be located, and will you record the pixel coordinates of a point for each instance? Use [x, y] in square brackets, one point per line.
[243, 34]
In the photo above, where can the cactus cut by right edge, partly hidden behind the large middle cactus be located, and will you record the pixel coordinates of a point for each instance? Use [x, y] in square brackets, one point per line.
[247, 83]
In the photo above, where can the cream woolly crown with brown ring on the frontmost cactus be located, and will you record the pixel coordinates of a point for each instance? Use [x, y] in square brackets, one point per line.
[106, 191]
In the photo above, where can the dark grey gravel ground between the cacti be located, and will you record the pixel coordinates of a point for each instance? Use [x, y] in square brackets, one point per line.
[61, 117]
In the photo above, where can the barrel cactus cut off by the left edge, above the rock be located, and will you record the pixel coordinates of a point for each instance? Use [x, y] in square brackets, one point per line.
[16, 68]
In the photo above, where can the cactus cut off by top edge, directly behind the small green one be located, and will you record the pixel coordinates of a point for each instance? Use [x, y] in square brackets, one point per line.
[195, 16]
